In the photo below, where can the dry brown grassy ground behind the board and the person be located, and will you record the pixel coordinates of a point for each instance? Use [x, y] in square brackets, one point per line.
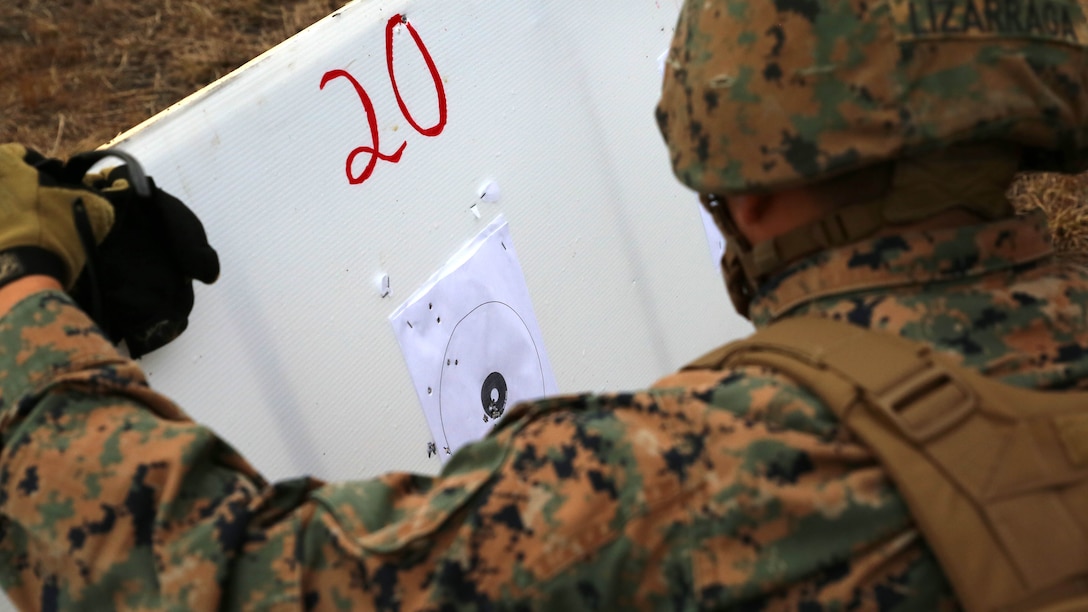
[76, 74]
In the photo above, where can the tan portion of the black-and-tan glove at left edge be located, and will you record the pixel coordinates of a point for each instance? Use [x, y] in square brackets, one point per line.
[39, 235]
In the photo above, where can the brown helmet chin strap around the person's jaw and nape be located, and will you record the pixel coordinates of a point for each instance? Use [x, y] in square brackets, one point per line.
[971, 178]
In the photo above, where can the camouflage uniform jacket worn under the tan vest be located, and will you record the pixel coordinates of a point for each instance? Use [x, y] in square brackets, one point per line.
[712, 489]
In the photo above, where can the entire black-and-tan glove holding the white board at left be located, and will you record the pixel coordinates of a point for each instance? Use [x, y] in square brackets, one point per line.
[127, 251]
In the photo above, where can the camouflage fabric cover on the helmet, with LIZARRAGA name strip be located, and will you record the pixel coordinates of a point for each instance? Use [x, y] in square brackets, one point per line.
[771, 94]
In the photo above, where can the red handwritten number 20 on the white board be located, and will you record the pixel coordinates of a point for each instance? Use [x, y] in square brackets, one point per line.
[368, 107]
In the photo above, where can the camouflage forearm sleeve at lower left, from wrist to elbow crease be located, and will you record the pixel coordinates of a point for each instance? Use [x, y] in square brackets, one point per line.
[110, 496]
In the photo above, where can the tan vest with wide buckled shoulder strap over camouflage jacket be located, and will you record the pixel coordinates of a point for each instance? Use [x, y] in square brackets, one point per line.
[996, 476]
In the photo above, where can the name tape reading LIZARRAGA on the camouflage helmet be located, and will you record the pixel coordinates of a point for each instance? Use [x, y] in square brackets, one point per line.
[1048, 20]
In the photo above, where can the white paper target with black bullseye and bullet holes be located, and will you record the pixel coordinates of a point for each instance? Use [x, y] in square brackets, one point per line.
[473, 342]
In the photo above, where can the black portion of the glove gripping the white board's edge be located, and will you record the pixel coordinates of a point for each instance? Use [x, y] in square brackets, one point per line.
[144, 270]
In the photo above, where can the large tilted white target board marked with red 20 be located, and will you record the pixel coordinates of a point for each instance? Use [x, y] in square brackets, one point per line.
[342, 170]
